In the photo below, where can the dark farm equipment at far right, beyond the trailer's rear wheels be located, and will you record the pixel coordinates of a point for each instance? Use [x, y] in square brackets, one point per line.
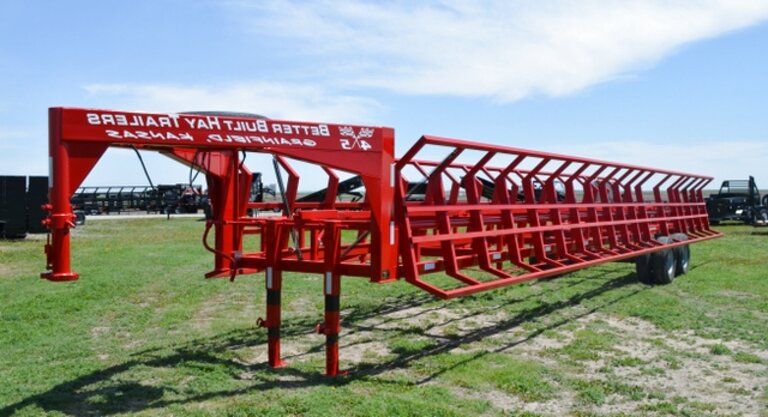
[737, 200]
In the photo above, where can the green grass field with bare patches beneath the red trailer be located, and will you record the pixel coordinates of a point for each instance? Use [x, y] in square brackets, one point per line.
[143, 333]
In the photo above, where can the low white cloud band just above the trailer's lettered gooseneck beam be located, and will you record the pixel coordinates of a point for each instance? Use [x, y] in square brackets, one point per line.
[273, 100]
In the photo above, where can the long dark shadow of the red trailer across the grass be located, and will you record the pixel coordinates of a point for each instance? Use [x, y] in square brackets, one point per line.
[121, 389]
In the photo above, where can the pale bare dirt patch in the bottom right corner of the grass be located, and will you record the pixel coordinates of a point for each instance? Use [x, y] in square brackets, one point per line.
[676, 368]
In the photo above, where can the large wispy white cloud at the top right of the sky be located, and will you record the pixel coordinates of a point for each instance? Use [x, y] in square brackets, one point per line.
[502, 49]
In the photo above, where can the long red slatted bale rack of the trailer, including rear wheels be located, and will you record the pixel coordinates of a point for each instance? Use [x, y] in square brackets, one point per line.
[539, 215]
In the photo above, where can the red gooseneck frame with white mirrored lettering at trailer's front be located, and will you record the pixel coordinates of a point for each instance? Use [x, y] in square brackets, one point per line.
[78, 138]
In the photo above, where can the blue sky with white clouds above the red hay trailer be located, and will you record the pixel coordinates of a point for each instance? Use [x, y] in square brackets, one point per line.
[680, 84]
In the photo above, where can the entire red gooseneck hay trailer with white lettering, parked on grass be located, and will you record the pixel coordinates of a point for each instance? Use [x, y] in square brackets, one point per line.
[487, 216]
